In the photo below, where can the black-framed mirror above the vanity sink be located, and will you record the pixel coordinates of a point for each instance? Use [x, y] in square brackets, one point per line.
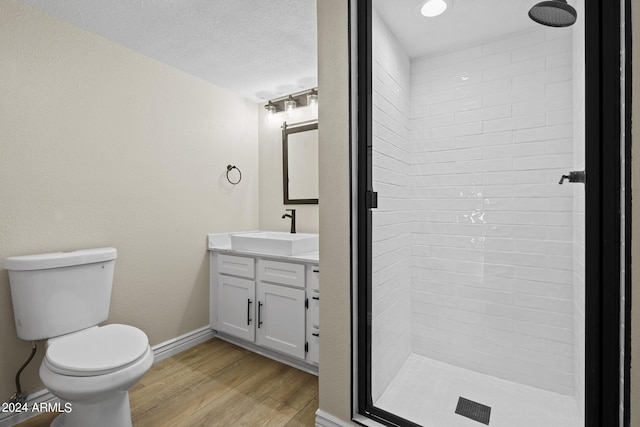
[300, 164]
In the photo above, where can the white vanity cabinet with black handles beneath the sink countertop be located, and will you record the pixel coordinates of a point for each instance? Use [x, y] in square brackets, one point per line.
[272, 304]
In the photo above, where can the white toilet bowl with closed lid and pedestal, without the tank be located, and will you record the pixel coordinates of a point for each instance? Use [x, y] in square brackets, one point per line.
[93, 370]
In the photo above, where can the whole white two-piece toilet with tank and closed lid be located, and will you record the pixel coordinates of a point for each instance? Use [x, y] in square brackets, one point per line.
[62, 297]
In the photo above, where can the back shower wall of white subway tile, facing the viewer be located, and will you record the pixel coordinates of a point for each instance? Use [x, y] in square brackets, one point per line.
[491, 135]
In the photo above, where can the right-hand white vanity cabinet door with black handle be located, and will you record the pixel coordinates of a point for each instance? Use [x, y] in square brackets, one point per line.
[280, 320]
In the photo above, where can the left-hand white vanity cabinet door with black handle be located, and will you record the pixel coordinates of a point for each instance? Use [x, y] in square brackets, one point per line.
[236, 307]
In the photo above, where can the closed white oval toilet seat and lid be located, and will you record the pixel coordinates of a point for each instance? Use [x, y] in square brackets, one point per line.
[97, 351]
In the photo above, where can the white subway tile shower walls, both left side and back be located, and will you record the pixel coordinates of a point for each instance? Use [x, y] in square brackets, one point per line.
[478, 251]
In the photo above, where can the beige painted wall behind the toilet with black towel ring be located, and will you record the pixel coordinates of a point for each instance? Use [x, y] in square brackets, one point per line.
[102, 146]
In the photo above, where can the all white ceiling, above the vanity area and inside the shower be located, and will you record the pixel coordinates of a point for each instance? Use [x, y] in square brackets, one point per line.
[263, 49]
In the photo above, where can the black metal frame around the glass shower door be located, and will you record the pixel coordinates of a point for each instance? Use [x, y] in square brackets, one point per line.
[602, 210]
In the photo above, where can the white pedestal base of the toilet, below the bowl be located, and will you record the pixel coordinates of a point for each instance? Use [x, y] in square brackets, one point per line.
[112, 412]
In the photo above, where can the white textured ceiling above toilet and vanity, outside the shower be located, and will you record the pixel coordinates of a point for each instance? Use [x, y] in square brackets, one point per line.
[259, 49]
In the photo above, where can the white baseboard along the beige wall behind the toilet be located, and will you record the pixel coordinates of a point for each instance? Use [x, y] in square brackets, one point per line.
[161, 351]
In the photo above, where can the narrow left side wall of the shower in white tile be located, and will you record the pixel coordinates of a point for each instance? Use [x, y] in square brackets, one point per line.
[392, 220]
